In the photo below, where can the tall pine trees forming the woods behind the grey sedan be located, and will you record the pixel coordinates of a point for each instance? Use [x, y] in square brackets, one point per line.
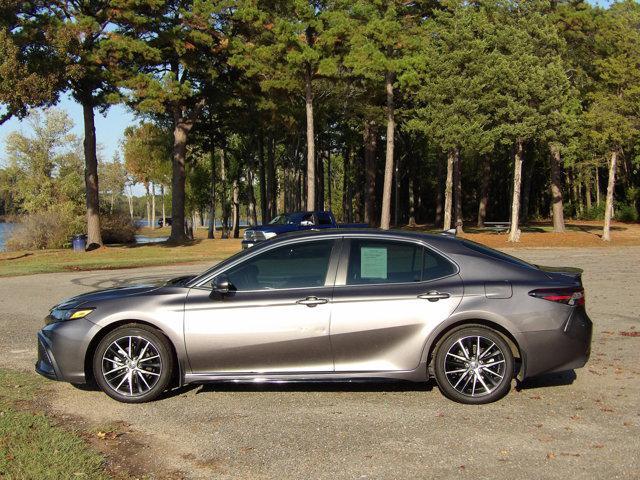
[413, 112]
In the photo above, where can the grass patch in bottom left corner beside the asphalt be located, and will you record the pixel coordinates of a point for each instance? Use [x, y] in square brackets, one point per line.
[30, 445]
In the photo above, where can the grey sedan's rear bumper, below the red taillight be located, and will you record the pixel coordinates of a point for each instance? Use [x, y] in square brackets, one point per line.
[558, 350]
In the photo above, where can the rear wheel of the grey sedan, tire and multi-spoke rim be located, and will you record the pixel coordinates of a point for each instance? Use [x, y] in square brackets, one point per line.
[466, 377]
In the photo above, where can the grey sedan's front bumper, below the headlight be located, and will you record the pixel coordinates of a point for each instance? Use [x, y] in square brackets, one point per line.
[62, 348]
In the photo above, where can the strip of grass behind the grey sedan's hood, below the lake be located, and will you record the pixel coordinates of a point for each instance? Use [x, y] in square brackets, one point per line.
[46, 261]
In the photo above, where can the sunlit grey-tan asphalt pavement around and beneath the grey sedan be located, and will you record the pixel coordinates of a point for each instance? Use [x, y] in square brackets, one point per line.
[573, 425]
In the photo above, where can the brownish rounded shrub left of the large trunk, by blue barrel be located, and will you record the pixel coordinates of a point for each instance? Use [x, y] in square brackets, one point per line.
[49, 229]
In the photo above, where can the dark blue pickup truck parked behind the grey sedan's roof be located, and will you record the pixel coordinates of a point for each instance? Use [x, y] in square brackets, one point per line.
[293, 222]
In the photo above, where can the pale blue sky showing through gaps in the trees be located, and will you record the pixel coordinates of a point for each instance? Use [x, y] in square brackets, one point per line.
[109, 129]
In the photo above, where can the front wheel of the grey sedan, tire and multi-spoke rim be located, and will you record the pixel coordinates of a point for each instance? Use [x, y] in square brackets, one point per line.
[137, 377]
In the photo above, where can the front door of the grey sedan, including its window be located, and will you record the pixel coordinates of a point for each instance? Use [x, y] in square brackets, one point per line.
[276, 317]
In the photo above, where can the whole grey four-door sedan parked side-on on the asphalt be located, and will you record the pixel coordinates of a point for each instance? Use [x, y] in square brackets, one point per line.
[329, 305]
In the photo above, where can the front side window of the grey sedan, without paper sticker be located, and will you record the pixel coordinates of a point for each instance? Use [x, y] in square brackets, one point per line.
[303, 265]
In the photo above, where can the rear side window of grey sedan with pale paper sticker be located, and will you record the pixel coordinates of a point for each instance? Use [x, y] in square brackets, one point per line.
[381, 261]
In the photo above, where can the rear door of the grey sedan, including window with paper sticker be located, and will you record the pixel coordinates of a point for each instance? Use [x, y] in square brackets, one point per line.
[389, 295]
